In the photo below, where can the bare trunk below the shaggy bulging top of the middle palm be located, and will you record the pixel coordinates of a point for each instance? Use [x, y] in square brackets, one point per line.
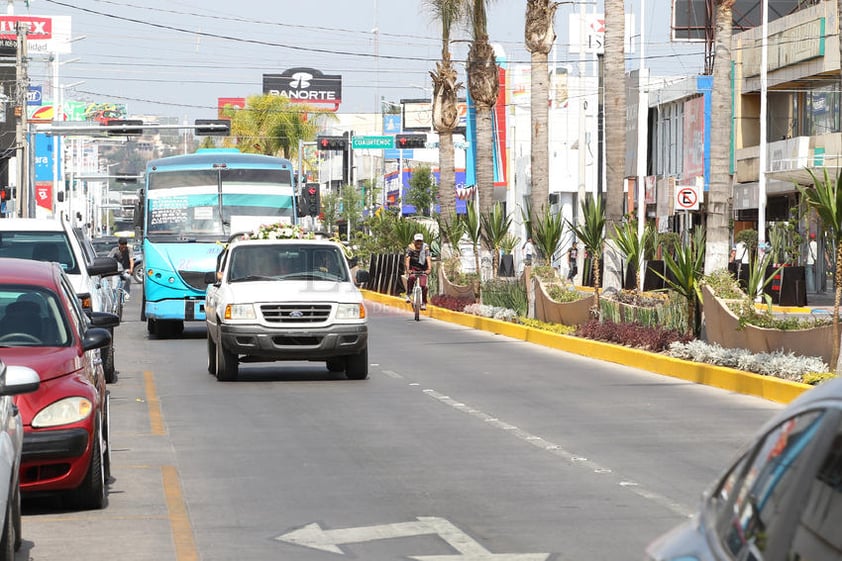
[540, 137]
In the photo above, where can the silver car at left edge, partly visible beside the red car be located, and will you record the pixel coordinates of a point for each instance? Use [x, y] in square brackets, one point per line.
[14, 380]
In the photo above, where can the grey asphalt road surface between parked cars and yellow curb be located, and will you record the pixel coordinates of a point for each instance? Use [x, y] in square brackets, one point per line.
[461, 444]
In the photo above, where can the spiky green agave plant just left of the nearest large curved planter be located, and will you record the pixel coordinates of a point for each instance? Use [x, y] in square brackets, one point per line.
[686, 270]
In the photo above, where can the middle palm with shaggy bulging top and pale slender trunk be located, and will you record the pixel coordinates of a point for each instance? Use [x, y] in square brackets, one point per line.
[539, 37]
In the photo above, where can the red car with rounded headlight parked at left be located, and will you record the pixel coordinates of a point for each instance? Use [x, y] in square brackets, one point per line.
[42, 326]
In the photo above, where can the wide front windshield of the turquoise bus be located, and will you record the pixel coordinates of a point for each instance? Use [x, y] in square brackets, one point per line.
[211, 204]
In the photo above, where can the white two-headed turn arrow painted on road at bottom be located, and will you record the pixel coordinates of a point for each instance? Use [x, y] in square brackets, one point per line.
[315, 537]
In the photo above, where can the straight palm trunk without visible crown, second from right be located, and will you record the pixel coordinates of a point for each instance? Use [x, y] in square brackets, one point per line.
[614, 100]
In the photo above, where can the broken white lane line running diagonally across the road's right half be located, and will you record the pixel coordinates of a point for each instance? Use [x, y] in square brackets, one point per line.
[559, 451]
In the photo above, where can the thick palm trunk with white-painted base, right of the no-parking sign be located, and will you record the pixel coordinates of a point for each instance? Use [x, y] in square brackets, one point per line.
[718, 212]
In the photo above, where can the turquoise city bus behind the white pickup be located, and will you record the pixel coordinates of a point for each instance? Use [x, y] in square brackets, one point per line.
[190, 206]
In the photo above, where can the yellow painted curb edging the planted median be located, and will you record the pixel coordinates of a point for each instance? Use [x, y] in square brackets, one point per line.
[766, 387]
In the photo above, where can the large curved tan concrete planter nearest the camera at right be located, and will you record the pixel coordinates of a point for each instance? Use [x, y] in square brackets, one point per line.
[722, 326]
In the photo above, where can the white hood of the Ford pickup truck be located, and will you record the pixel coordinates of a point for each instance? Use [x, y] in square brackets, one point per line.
[294, 291]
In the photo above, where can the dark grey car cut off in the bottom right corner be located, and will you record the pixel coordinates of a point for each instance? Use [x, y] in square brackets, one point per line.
[782, 497]
